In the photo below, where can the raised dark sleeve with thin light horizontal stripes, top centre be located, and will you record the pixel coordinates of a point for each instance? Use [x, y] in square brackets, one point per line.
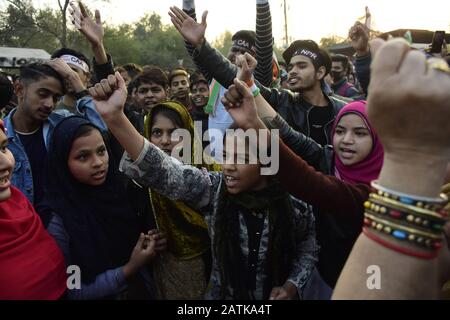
[264, 44]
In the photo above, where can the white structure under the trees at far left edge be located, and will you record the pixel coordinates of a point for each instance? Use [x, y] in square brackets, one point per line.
[16, 57]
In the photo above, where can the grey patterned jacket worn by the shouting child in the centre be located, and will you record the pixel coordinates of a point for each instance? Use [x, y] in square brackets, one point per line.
[200, 189]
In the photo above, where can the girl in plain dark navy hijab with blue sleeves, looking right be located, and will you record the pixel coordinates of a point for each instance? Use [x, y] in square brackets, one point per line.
[93, 221]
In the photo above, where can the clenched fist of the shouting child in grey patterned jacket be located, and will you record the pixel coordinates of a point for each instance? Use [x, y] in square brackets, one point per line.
[109, 96]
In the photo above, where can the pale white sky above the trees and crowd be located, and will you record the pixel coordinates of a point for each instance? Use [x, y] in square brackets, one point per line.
[312, 19]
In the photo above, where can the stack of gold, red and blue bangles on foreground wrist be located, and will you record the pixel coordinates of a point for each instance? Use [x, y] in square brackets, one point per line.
[417, 220]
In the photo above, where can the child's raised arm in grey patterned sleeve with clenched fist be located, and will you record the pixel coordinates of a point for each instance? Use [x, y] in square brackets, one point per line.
[143, 161]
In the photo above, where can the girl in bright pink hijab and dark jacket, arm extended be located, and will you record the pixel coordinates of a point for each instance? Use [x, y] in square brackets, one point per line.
[356, 157]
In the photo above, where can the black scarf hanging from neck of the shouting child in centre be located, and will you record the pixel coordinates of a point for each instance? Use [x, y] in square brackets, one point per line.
[227, 249]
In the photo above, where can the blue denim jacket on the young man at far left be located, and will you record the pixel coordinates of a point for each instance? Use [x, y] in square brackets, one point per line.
[22, 177]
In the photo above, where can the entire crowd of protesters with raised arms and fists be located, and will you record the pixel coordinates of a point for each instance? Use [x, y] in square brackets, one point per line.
[143, 178]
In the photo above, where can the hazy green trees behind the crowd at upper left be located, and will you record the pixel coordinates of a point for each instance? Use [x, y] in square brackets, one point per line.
[145, 42]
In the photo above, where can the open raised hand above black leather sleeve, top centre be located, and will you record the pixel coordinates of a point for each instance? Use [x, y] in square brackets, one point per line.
[191, 31]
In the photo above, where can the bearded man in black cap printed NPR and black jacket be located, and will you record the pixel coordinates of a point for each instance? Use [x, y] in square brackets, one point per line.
[307, 66]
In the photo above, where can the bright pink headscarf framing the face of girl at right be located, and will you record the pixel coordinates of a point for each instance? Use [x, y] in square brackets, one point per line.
[368, 169]
